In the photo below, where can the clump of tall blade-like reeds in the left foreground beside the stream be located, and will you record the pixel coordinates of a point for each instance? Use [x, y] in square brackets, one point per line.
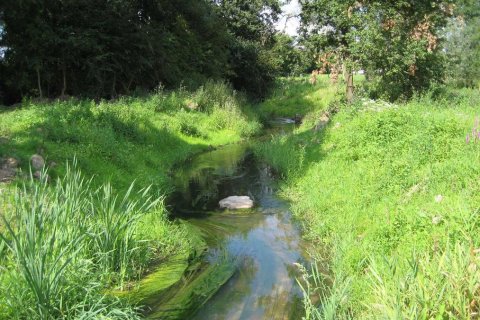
[67, 243]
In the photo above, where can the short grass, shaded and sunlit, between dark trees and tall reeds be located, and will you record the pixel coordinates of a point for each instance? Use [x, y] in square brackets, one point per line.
[129, 139]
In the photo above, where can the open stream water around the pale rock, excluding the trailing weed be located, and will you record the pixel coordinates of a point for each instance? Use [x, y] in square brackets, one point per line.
[264, 241]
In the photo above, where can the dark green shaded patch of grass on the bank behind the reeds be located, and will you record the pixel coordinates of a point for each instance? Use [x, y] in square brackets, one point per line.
[113, 144]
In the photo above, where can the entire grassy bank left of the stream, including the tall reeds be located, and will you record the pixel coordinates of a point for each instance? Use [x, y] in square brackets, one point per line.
[65, 243]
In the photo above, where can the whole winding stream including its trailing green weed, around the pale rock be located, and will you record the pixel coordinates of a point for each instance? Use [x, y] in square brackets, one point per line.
[243, 263]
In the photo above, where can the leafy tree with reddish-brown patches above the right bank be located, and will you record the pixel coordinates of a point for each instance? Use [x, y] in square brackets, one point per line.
[396, 42]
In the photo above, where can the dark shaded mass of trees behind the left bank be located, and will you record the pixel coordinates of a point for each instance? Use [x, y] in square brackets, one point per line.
[102, 50]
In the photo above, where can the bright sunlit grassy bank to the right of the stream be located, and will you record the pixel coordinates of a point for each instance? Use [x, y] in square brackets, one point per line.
[390, 194]
